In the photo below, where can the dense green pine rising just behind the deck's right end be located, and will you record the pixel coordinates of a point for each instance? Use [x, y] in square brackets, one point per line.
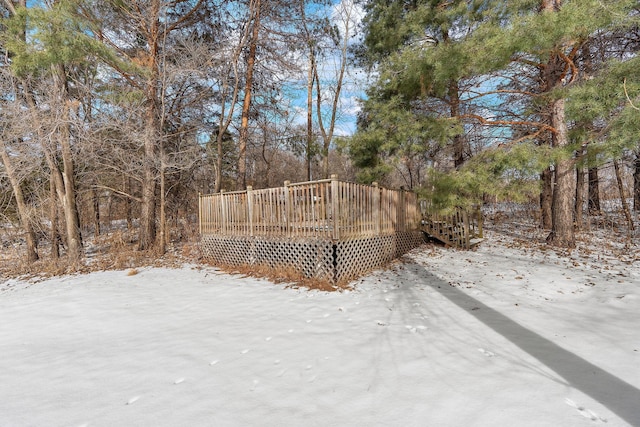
[402, 41]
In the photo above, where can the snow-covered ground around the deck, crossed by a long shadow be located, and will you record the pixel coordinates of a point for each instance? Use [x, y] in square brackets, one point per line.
[503, 335]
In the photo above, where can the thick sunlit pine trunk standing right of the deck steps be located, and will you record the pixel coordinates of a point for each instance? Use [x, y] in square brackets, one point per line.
[562, 215]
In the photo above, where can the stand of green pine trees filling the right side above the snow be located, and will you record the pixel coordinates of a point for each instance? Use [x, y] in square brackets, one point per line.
[513, 99]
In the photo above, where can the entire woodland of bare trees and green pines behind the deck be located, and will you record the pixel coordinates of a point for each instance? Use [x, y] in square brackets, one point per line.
[116, 114]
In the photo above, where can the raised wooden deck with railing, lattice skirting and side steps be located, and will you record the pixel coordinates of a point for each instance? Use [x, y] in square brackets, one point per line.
[330, 230]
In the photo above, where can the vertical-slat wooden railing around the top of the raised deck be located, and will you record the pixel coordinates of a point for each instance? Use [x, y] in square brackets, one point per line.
[328, 209]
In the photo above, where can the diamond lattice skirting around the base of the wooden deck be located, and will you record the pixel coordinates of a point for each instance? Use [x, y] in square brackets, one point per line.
[326, 260]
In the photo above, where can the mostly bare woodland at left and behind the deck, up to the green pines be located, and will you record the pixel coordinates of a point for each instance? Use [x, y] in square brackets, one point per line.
[128, 109]
